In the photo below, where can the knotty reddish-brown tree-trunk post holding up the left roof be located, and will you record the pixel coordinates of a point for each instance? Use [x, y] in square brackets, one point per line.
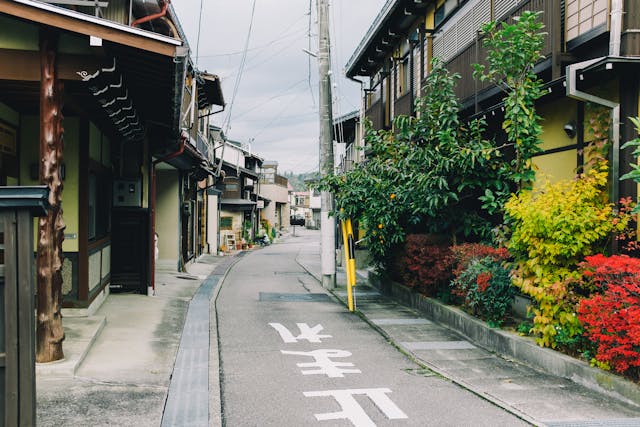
[50, 333]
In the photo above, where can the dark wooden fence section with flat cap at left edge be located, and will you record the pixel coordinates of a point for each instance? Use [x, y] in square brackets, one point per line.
[18, 206]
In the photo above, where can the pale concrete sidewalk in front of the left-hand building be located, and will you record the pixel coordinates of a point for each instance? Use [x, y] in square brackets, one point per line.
[119, 362]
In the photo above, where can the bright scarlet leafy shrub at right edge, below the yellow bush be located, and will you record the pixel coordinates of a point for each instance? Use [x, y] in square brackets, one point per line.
[611, 317]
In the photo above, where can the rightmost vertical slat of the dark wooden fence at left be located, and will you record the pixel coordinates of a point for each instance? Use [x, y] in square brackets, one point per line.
[26, 329]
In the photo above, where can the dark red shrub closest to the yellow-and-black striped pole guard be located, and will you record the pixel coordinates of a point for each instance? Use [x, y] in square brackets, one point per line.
[425, 263]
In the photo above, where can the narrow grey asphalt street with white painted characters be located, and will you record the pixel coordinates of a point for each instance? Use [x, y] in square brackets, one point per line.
[291, 355]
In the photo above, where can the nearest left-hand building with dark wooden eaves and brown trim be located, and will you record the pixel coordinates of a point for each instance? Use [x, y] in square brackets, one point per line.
[127, 100]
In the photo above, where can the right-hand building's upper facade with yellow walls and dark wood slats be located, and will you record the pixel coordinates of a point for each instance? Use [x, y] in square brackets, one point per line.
[591, 52]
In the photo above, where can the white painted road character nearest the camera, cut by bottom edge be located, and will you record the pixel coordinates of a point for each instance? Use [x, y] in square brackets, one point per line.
[352, 411]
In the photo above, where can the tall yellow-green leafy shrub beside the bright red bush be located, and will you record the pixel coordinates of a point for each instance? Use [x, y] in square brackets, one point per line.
[553, 229]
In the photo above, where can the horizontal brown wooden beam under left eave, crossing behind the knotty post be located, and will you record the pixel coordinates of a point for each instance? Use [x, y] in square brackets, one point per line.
[24, 65]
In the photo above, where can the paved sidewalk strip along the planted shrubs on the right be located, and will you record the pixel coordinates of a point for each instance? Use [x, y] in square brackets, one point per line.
[533, 395]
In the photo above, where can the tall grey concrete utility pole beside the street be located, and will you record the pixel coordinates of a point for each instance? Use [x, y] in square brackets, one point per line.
[327, 224]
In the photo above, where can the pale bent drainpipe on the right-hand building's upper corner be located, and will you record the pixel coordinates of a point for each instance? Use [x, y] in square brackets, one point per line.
[572, 92]
